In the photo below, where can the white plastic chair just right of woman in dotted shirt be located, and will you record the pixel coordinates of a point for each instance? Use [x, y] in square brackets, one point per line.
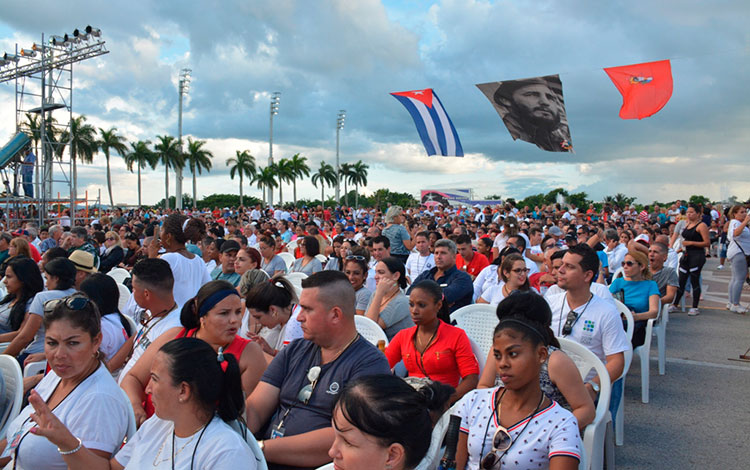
[597, 434]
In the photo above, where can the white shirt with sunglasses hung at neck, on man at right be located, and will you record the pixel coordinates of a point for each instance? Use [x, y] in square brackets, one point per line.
[598, 326]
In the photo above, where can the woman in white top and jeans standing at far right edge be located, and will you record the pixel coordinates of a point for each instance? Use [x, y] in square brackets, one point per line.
[737, 252]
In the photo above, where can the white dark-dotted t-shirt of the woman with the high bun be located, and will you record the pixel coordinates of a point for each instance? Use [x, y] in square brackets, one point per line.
[552, 432]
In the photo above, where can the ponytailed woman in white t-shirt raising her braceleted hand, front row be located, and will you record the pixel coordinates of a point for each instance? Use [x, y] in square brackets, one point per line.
[195, 394]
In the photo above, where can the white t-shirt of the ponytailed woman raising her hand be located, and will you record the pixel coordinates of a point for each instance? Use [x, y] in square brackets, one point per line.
[220, 448]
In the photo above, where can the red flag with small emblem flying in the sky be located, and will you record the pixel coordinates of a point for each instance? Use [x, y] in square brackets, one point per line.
[645, 88]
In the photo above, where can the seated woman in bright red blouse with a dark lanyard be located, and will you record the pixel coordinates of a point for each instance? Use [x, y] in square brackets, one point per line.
[433, 348]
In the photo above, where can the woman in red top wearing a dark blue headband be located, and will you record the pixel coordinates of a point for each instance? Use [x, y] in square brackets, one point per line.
[215, 316]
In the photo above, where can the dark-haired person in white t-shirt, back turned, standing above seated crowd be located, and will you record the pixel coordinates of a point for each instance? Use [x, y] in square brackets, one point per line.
[189, 270]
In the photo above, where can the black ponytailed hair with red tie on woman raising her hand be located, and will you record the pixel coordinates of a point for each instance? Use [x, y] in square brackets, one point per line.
[214, 379]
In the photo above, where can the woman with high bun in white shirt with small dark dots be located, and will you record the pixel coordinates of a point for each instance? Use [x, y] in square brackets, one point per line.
[504, 426]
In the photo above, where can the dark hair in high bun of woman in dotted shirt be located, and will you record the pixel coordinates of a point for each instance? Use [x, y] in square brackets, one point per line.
[529, 314]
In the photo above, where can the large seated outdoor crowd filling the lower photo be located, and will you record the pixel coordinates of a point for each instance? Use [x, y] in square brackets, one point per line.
[219, 341]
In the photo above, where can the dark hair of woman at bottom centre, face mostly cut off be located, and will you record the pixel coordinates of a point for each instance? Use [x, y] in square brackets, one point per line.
[391, 411]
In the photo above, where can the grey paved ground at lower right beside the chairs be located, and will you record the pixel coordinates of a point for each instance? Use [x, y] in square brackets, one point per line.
[699, 412]
